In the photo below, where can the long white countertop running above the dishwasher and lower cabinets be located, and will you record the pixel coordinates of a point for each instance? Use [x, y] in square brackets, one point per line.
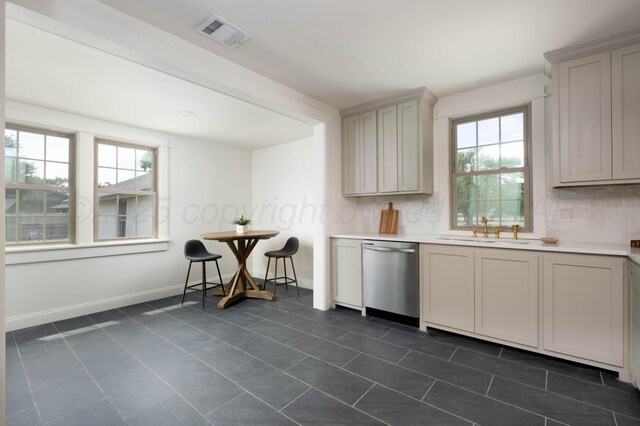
[504, 243]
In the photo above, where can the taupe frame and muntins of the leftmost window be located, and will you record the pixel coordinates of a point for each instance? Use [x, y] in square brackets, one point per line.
[70, 188]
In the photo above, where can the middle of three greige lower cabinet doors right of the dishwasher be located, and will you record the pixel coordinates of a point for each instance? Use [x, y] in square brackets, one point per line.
[506, 295]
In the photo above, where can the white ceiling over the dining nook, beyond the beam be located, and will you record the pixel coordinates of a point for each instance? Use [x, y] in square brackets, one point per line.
[68, 76]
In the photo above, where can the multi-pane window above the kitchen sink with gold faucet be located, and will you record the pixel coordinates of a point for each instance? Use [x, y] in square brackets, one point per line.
[490, 170]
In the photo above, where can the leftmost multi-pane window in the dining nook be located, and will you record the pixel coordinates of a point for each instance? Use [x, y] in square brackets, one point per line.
[38, 185]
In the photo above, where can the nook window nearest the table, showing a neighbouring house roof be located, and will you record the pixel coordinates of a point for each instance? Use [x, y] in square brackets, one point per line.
[126, 191]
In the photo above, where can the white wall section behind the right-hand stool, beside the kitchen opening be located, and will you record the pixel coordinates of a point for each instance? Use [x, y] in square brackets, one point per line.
[283, 199]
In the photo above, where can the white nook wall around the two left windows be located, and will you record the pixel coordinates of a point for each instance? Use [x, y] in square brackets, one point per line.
[208, 186]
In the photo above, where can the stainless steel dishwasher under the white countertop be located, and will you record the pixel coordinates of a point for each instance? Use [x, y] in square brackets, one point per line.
[391, 277]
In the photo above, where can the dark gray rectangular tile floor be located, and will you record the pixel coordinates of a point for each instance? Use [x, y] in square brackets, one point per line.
[281, 363]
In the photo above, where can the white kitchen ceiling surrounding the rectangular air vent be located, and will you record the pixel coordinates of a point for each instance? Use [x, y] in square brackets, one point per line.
[345, 52]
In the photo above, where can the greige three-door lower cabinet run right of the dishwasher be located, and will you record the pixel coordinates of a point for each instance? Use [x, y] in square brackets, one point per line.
[565, 305]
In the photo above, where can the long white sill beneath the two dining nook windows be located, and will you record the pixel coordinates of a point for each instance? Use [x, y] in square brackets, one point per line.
[53, 253]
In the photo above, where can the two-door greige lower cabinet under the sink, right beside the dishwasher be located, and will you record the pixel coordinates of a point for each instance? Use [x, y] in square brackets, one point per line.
[492, 293]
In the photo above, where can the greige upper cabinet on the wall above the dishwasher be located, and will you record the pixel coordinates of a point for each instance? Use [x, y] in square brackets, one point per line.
[387, 146]
